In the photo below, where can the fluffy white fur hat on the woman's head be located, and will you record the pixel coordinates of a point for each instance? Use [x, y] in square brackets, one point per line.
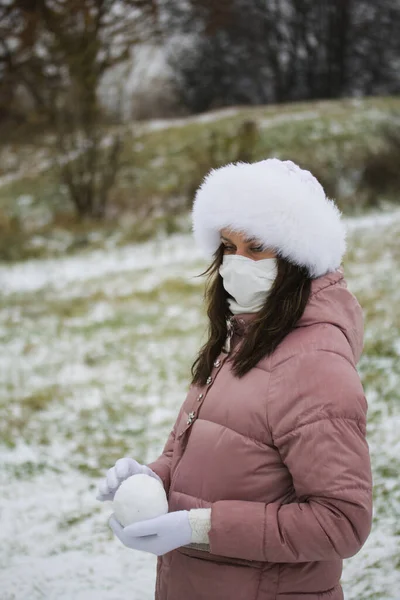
[277, 202]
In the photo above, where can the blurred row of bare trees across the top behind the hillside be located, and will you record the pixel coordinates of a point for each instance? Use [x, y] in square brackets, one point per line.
[221, 52]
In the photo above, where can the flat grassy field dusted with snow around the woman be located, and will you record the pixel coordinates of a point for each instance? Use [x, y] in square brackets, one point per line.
[95, 358]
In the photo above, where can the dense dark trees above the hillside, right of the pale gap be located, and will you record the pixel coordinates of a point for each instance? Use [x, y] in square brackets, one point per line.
[260, 51]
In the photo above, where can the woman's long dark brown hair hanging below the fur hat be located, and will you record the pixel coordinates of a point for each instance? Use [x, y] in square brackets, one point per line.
[283, 307]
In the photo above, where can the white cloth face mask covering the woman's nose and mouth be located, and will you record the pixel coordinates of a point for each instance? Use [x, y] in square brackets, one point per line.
[248, 281]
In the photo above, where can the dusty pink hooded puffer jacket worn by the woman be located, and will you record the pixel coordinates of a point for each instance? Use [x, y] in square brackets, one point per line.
[281, 458]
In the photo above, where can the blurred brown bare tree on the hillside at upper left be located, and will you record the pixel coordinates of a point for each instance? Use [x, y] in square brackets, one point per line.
[59, 50]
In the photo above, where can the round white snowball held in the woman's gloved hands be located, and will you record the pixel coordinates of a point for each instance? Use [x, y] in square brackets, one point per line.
[138, 498]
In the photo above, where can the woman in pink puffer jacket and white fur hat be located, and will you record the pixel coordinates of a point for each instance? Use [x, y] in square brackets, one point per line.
[267, 467]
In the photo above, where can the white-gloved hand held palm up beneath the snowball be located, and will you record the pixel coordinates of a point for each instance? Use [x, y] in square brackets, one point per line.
[157, 536]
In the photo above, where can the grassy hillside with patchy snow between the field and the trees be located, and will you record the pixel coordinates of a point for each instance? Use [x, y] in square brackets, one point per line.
[164, 162]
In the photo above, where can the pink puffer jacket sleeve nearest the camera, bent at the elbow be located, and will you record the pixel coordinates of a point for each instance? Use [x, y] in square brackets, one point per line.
[317, 416]
